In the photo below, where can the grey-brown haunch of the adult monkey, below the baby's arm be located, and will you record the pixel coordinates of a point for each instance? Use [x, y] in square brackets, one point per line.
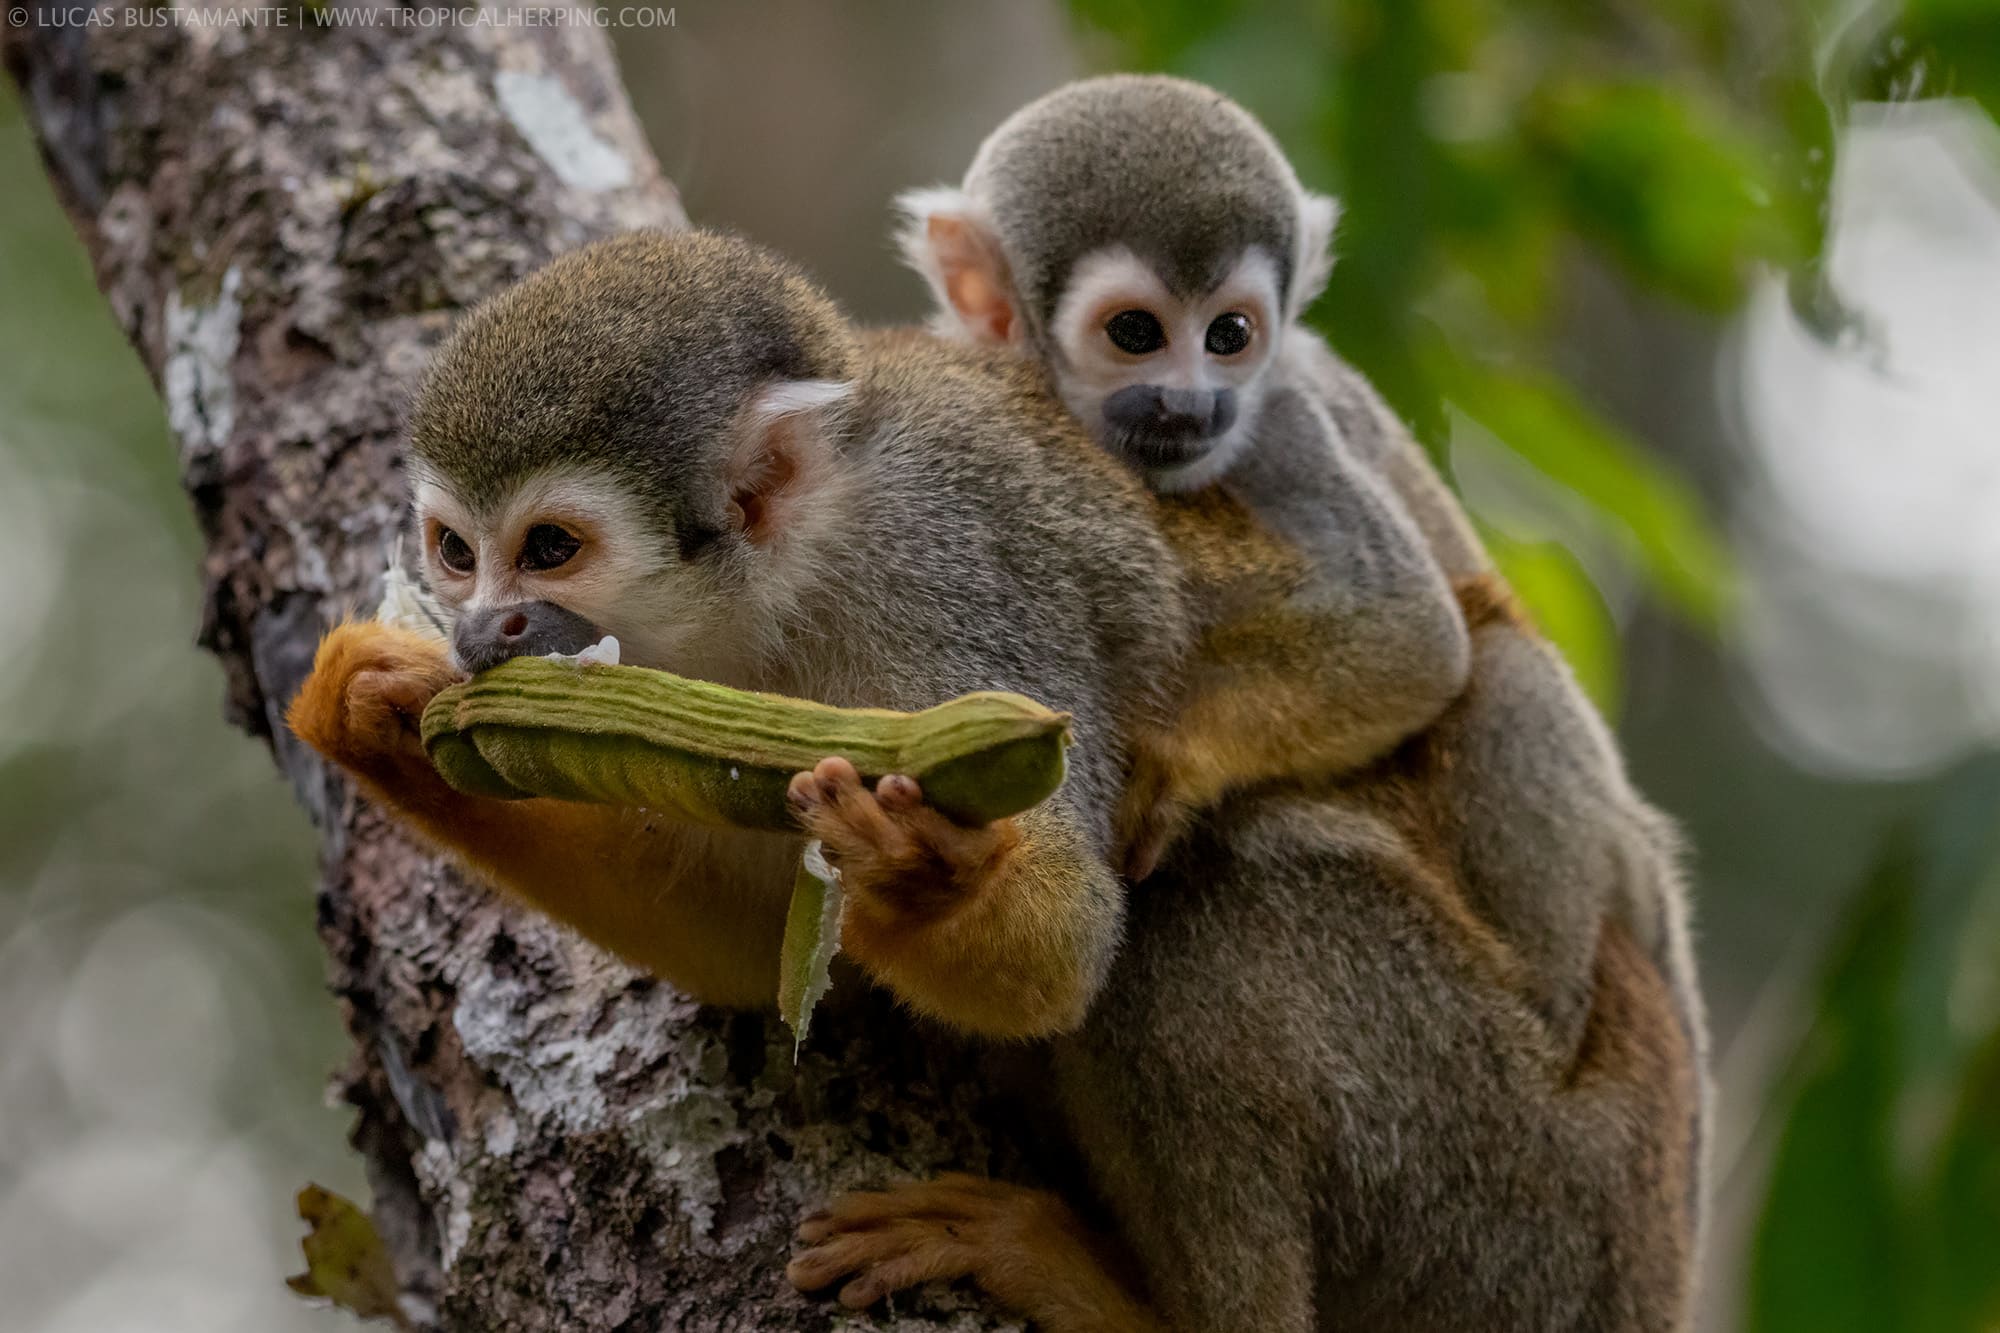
[1401, 1146]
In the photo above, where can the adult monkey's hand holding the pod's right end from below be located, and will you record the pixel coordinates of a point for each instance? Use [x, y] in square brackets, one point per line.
[891, 848]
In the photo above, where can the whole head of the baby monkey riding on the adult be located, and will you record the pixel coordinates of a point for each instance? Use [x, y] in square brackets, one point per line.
[1149, 243]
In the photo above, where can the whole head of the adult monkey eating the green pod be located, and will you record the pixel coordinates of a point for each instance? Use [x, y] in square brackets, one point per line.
[633, 441]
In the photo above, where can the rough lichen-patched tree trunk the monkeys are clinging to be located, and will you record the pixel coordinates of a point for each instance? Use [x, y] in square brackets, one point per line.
[285, 221]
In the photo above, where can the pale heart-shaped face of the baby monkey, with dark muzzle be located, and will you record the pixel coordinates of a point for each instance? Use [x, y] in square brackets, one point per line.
[1171, 383]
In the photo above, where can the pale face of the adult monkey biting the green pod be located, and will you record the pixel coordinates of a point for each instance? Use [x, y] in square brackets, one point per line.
[557, 565]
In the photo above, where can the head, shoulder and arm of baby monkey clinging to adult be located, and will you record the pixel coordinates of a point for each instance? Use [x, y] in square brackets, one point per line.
[1151, 247]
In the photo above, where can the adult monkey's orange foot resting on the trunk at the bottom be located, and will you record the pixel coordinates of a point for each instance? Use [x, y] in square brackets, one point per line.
[1023, 1246]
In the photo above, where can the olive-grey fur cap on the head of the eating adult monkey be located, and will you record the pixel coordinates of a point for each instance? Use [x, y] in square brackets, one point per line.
[605, 377]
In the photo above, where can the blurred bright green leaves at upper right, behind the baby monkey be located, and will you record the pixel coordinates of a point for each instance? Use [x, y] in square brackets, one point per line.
[1489, 151]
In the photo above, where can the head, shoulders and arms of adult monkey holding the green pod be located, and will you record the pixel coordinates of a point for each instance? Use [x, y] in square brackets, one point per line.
[681, 443]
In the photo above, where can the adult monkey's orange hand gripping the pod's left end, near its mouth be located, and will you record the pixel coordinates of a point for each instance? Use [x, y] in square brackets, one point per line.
[365, 702]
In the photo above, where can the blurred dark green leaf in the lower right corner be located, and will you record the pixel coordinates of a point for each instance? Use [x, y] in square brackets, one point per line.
[1885, 1194]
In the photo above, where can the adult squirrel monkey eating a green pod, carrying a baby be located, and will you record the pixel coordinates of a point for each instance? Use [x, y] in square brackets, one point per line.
[1299, 1066]
